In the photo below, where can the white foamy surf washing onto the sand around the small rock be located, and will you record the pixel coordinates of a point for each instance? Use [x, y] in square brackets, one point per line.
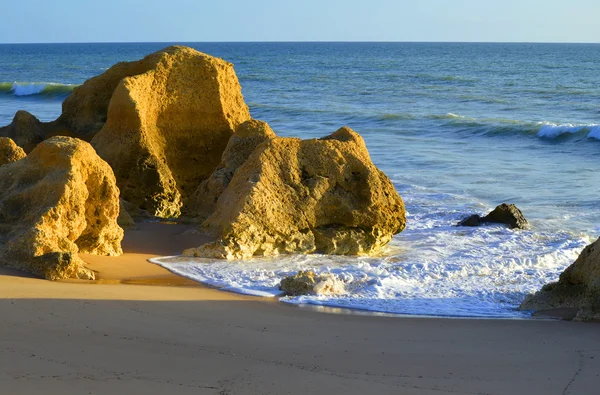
[432, 268]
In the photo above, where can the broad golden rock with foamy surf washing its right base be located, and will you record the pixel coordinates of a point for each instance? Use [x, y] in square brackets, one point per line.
[303, 196]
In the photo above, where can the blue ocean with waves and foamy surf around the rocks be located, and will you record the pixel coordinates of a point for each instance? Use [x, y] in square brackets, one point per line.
[458, 127]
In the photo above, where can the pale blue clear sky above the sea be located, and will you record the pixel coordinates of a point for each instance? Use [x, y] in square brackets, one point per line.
[44, 21]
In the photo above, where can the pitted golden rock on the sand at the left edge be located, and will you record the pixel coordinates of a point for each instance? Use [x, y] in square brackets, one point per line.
[59, 200]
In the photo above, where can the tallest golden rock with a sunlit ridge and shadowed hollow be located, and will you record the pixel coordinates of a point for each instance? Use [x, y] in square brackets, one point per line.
[166, 127]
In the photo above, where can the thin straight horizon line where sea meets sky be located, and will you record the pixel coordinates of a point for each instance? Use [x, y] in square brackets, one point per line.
[301, 42]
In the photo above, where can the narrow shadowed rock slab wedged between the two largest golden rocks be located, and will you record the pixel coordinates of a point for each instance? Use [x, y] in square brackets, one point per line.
[247, 137]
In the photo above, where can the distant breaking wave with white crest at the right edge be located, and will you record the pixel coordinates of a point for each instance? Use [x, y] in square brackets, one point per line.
[497, 126]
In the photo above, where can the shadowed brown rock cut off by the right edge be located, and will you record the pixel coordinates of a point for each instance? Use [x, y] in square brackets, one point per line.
[578, 287]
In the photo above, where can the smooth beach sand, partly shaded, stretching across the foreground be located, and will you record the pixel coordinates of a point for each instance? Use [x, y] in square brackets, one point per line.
[182, 338]
